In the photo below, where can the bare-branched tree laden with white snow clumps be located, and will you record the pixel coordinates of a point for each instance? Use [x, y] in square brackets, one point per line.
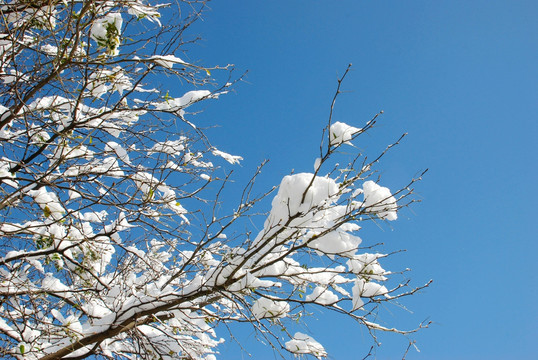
[113, 244]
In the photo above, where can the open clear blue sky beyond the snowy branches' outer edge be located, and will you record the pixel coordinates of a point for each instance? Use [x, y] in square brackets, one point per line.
[461, 78]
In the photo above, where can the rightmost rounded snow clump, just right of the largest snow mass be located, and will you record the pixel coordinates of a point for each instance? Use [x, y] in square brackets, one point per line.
[379, 200]
